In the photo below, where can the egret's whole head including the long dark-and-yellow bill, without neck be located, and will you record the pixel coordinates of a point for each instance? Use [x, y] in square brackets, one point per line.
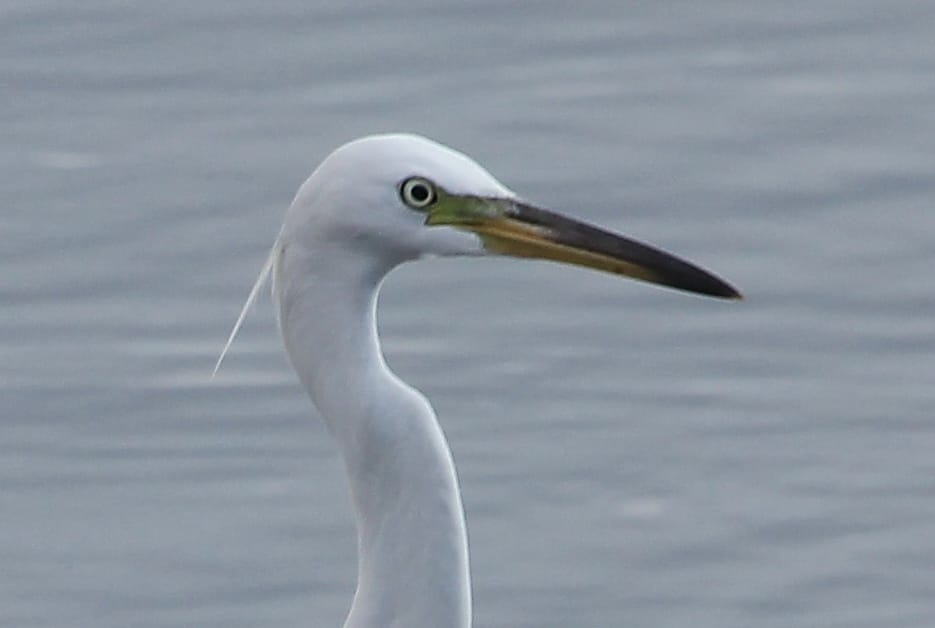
[400, 197]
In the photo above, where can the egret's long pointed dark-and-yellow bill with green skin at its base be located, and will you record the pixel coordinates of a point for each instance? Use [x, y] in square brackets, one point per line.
[512, 228]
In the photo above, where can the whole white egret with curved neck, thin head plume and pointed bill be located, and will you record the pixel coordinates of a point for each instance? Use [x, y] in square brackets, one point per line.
[371, 205]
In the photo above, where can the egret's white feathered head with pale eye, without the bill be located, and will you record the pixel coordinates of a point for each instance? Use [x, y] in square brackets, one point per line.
[375, 195]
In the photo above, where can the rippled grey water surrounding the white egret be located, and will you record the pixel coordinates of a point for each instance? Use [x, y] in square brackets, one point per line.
[629, 456]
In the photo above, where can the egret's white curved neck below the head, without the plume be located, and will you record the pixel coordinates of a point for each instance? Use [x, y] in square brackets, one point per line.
[412, 544]
